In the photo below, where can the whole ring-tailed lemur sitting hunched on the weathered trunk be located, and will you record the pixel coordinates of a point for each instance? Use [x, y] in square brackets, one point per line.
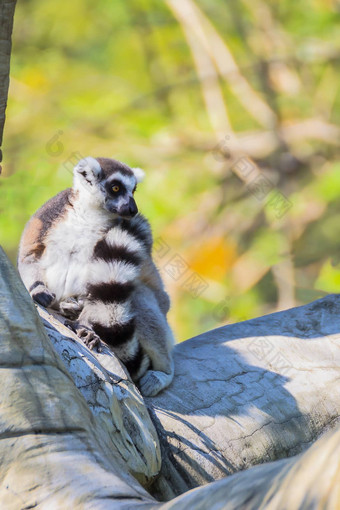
[87, 253]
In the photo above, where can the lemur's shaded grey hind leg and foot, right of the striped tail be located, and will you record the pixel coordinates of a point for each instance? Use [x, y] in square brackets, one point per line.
[156, 339]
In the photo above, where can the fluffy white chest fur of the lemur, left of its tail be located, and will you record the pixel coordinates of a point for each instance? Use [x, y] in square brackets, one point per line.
[69, 249]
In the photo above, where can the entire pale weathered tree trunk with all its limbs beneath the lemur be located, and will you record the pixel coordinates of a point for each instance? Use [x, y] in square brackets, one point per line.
[63, 447]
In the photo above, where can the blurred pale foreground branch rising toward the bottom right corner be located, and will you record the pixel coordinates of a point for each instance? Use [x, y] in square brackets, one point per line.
[307, 482]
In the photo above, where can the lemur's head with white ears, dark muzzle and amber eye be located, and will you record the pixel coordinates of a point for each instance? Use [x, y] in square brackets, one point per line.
[111, 184]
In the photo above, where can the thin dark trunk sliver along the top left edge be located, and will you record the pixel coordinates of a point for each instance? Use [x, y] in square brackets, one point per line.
[6, 24]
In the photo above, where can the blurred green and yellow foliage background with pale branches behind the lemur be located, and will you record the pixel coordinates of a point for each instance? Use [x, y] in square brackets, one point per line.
[232, 110]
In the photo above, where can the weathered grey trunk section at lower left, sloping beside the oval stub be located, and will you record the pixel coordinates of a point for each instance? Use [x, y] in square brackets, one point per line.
[54, 453]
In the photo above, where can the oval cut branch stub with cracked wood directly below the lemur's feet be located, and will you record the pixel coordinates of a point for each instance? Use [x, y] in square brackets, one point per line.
[112, 397]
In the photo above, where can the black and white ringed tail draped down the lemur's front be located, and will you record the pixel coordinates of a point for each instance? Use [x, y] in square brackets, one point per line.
[114, 269]
